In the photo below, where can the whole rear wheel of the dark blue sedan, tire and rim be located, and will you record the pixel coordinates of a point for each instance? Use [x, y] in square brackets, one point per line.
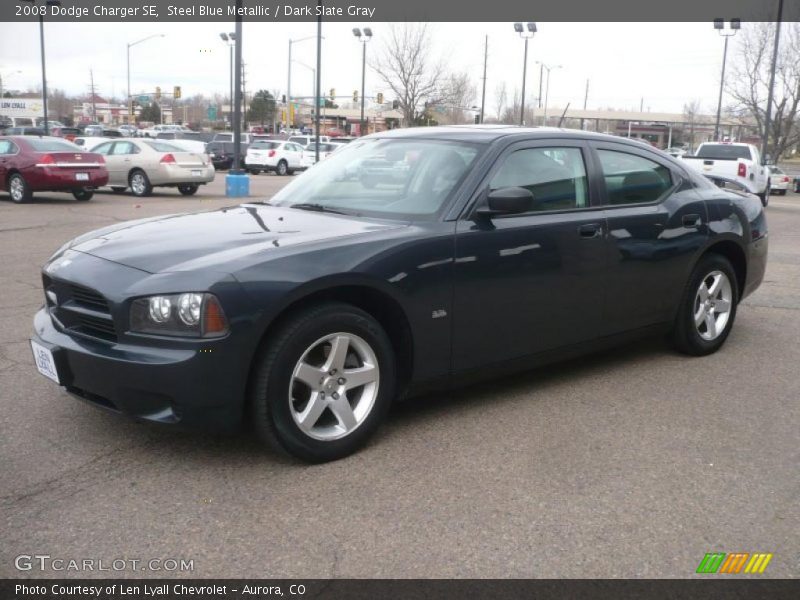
[708, 308]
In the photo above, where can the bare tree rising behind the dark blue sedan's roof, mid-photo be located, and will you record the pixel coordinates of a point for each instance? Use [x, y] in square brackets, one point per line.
[405, 65]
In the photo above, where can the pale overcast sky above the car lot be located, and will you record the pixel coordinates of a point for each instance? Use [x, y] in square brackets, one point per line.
[667, 64]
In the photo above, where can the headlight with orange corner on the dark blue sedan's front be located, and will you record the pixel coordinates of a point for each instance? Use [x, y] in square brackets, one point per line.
[187, 315]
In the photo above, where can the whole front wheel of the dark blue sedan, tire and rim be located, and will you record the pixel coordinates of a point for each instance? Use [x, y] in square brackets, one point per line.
[324, 383]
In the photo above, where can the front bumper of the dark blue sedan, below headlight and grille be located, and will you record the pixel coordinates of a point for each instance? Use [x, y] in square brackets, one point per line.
[175, 386]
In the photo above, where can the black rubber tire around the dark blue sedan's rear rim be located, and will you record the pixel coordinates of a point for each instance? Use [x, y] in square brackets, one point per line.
[685, 335]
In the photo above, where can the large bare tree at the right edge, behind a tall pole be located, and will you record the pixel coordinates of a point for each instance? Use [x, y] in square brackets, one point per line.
[749, 82]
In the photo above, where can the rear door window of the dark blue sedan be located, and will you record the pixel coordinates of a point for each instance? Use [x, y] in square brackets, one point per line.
[631, 179]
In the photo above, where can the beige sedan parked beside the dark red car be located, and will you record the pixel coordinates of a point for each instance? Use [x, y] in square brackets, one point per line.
[141, 165]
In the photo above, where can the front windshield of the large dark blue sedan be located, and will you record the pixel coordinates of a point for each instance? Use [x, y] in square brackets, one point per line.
[403, 179]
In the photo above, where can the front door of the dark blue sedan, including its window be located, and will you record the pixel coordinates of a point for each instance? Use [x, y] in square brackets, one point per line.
[531, 282]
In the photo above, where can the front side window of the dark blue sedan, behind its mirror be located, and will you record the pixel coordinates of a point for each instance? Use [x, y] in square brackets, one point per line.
[555, 176]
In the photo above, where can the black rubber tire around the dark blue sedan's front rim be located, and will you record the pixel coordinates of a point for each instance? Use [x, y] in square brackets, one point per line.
[271, 408]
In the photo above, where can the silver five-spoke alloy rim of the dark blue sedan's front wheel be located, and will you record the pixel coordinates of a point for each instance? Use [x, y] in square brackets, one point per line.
[334, 386]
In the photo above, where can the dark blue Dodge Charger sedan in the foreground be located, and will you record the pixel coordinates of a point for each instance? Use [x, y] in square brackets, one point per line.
[407, 261]
